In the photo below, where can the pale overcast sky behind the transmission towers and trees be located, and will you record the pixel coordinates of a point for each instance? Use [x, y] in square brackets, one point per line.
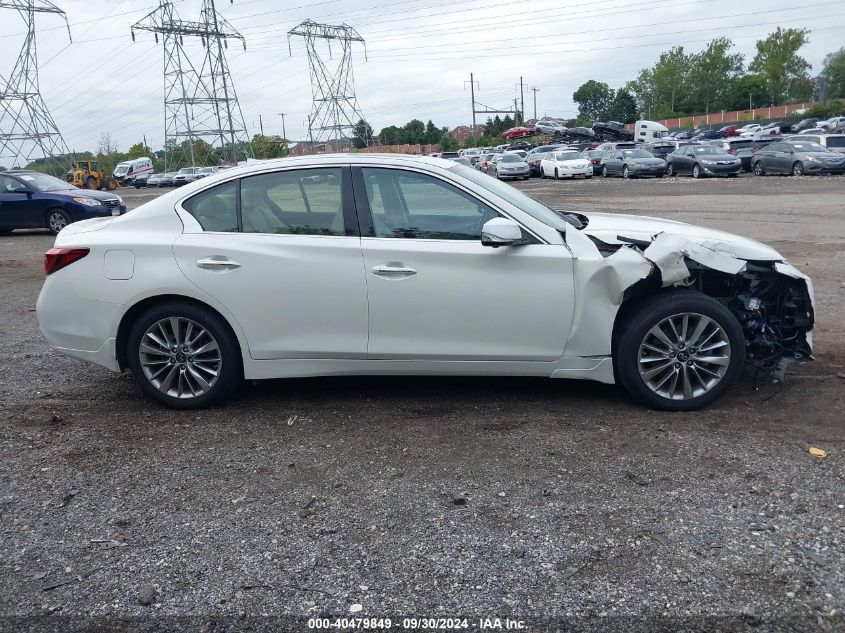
[420, 54]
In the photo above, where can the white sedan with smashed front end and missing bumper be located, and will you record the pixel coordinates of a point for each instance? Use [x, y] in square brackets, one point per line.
[348, 264]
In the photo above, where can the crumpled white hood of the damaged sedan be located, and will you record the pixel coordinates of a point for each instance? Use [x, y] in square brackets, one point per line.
[614, 228]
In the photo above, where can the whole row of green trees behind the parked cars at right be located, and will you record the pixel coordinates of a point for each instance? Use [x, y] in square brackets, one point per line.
[715, 79]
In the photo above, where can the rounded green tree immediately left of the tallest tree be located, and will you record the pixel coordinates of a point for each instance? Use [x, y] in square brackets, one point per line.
[712, 75]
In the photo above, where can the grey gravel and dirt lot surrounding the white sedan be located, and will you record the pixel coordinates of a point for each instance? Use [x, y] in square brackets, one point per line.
[542, 501]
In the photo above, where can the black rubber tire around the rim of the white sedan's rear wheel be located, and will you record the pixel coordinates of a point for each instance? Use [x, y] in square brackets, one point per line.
[230, 372]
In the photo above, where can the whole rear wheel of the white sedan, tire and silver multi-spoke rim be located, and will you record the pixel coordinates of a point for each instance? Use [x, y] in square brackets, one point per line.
[184, 356]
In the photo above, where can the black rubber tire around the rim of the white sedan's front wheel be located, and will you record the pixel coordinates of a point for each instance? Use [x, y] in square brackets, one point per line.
[654, 311]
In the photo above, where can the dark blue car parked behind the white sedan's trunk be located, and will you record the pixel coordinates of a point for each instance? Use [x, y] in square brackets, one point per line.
[32, 200]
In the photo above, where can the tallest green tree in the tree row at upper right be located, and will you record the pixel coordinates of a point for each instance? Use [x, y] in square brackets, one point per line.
[785, 73]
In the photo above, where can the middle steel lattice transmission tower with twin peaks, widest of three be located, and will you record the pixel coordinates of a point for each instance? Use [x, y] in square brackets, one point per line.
[203, 122]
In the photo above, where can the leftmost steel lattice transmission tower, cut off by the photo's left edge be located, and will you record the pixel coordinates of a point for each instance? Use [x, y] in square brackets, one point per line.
[27, 131]
